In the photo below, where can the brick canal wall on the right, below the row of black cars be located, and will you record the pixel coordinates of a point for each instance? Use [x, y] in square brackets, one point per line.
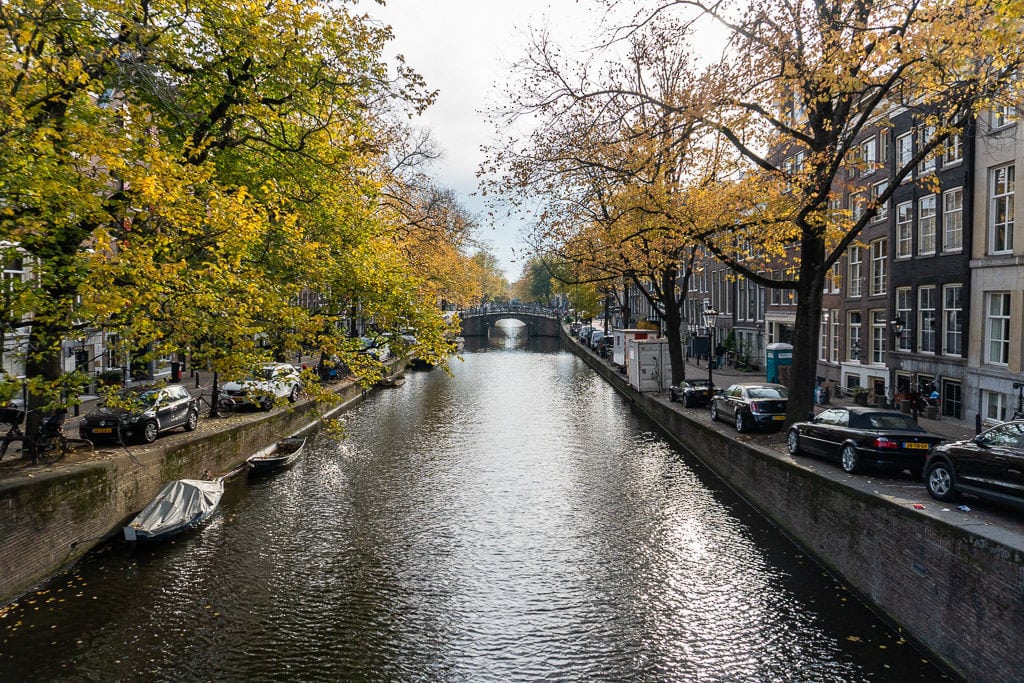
[958, 592]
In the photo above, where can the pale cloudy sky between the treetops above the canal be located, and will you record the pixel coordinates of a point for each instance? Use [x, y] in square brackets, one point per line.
[464, 49]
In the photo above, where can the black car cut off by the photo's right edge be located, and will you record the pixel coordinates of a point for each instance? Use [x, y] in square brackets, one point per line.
[991, 465]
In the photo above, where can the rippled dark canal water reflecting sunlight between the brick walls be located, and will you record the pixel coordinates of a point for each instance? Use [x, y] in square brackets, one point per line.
[515, 522]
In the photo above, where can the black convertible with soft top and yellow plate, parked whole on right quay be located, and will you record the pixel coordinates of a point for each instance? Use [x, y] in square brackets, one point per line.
[861, 438]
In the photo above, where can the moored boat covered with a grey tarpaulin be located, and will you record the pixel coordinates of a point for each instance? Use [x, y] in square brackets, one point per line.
[181, 505]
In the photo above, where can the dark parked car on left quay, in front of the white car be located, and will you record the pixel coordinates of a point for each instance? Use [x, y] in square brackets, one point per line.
[142, 413]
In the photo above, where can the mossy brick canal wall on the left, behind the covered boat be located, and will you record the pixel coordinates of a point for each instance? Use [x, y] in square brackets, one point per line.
[52, 519]
